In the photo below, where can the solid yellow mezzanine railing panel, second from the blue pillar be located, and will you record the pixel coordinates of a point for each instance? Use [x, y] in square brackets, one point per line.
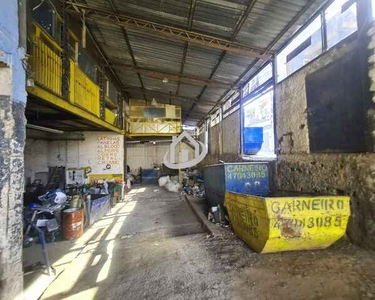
[83, 91]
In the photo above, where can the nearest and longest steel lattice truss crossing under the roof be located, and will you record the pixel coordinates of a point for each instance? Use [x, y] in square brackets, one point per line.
[168, 32]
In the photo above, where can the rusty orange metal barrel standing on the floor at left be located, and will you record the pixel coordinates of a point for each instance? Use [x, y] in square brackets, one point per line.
[72, 223]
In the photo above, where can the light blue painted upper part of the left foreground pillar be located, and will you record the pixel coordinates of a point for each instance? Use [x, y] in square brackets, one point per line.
[10, 53]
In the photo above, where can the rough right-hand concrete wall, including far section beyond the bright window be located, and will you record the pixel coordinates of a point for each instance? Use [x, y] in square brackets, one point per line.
[299, 170]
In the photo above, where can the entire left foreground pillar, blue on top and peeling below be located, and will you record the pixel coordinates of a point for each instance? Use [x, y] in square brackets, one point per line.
[12, 139]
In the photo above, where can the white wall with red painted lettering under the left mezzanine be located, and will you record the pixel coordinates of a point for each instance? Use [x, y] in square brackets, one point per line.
[97, 150]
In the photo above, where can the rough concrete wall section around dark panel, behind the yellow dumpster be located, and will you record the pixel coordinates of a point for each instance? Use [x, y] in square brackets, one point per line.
[300, 170]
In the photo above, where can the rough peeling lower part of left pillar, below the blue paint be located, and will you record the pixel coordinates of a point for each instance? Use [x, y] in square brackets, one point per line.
[12, 136]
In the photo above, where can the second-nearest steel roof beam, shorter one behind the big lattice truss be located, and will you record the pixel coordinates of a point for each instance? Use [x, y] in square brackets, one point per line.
[170, 76]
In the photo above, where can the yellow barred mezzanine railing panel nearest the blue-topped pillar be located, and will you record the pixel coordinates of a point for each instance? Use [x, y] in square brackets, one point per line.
[46, 62]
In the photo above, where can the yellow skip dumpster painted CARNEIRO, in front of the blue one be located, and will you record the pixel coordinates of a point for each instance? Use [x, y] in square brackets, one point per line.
[274, 224]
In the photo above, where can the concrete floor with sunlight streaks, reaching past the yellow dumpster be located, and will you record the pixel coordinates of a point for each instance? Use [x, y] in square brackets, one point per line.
[153, 247]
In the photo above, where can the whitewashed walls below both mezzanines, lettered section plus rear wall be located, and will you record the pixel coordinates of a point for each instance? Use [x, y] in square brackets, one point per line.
[96, 151]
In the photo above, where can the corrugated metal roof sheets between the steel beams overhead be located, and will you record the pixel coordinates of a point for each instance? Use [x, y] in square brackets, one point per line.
[221, 18]
